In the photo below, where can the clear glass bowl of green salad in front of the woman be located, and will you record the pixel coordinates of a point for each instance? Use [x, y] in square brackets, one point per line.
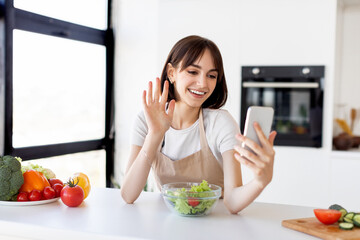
[182, 200]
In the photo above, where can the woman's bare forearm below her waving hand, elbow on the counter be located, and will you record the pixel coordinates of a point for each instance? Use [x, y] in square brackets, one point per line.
[137, 174]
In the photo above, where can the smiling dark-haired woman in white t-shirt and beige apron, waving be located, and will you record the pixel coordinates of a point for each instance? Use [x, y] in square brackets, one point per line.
[183, 135]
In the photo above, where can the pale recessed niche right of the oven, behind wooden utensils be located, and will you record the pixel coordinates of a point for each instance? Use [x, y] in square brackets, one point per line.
[347, 66]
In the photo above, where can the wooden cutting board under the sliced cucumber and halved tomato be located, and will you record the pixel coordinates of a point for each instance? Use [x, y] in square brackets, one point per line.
[315, 228]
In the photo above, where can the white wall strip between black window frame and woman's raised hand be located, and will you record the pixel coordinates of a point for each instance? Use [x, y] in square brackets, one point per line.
[136, 30]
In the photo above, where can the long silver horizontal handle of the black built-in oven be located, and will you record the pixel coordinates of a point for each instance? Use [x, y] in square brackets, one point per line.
[279, 85]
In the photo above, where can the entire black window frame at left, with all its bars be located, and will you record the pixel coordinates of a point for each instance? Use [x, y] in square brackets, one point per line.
[15, 18]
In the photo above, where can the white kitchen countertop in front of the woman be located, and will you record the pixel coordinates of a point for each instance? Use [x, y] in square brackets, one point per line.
[104, 215]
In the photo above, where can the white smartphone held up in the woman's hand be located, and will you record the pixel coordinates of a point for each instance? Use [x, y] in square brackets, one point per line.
[263, 116]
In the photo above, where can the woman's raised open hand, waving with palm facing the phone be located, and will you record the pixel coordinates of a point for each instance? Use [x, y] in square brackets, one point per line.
[158, 120]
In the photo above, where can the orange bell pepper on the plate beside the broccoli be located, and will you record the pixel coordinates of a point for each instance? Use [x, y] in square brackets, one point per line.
[33, 180]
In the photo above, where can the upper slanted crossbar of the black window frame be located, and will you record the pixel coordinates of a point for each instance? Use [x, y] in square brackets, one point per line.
[33, 22]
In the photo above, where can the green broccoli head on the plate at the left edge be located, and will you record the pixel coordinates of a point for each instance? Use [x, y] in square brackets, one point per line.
[11, 177]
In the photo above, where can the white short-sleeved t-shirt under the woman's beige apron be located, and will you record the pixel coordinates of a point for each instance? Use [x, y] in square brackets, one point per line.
[220, 129]
